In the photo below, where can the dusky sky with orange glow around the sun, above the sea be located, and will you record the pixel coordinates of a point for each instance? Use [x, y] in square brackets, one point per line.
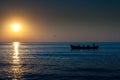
[60, 20]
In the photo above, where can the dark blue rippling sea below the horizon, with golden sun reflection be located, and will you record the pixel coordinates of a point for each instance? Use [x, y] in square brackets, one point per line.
[56, 61]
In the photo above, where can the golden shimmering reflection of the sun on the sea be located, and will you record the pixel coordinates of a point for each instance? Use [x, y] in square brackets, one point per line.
[16, 68]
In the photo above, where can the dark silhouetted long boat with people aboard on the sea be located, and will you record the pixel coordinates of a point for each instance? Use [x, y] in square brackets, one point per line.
[87, 47]
